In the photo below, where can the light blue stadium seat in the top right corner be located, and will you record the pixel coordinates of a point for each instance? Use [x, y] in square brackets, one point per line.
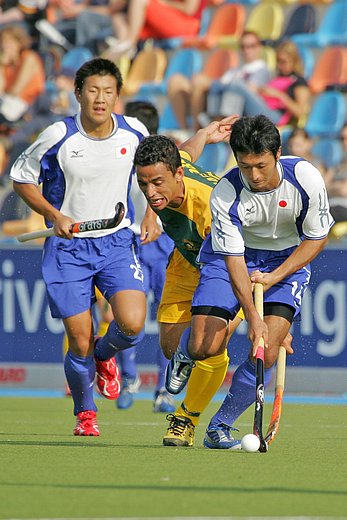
[332, 29]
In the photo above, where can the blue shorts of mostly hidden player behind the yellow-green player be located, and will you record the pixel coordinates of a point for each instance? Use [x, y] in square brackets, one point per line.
[154, 258]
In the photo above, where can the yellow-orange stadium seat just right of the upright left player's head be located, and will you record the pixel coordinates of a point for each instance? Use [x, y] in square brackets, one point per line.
[148, 66]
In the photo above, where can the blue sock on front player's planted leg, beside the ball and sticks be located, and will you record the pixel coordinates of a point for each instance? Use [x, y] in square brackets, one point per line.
[241, 394]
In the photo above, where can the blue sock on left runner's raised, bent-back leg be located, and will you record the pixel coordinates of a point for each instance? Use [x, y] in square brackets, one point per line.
[114, 341]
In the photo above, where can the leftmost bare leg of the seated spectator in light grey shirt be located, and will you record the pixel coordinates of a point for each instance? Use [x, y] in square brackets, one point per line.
[179, 93]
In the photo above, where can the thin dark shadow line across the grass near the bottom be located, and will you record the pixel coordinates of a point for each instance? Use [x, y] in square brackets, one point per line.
[181, 489]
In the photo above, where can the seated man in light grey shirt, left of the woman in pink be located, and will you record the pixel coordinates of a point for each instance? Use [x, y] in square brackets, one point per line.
[190, 96]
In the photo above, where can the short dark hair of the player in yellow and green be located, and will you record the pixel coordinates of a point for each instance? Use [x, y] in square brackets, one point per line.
[158, 148]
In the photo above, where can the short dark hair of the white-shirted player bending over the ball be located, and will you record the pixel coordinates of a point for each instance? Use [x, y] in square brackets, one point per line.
[255, 135]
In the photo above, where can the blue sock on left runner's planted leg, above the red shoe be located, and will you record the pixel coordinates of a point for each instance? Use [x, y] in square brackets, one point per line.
[80, 374]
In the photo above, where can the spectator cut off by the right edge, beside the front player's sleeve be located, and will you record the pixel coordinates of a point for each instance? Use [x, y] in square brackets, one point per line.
[337, 189]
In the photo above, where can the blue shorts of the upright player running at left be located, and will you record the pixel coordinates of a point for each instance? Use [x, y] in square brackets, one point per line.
[72, 268]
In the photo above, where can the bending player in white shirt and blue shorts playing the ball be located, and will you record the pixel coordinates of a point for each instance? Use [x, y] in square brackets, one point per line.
[270, 219]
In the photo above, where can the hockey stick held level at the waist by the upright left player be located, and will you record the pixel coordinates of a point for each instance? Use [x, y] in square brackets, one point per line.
[81, 227]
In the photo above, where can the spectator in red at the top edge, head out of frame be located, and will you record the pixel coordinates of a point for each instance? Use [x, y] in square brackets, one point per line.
[157, 19]
